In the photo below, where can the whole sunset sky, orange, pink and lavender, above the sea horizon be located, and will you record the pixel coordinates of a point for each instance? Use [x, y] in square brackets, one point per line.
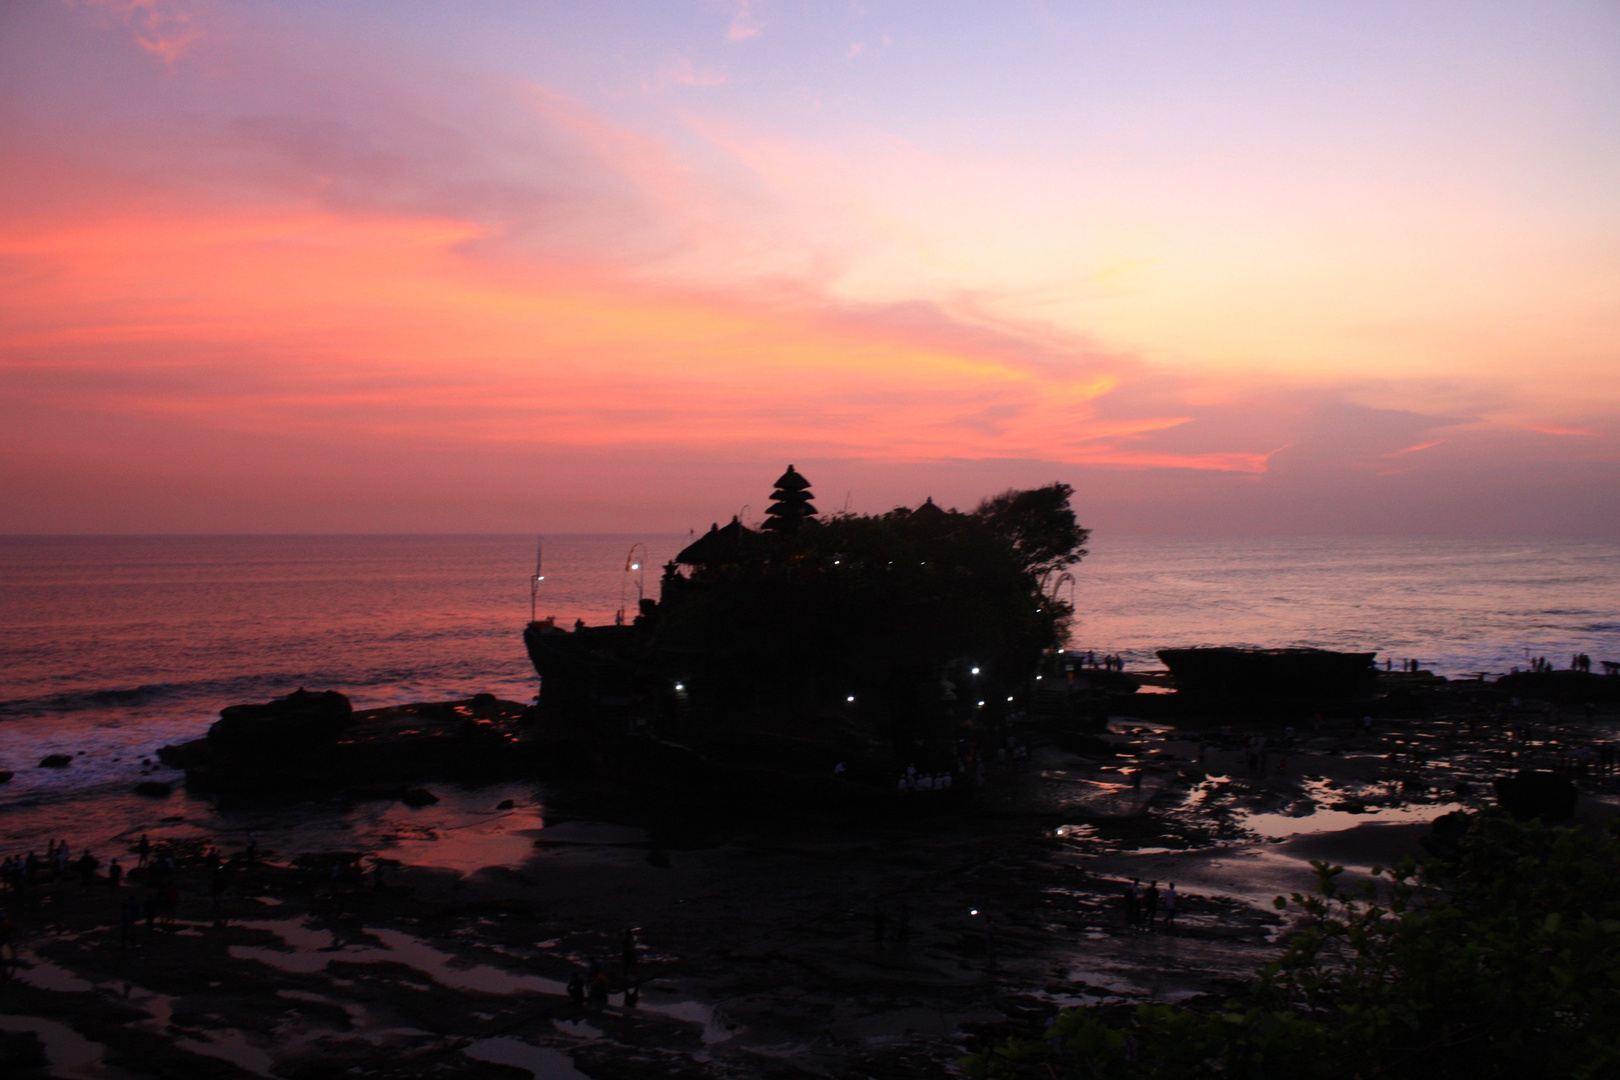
[1227, 268]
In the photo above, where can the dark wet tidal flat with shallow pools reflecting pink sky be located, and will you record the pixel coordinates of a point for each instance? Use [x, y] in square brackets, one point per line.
[759, 955]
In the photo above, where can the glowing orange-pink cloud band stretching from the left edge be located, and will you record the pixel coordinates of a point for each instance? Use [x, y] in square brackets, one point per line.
[390, 318]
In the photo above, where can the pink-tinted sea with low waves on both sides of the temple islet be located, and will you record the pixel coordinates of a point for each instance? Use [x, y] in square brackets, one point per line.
[116, 647]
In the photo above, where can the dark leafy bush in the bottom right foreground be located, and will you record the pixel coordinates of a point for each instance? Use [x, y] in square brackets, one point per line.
[1501, 959]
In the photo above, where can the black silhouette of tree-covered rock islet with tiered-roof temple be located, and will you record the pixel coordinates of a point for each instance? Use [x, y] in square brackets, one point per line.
[825, 642]
